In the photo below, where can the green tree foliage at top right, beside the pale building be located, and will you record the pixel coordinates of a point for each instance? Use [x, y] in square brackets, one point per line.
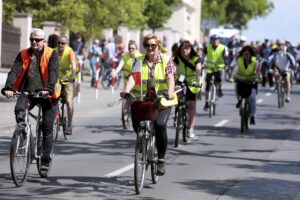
[236, 12]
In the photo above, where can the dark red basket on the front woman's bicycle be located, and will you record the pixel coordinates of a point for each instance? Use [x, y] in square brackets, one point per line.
[144, 110]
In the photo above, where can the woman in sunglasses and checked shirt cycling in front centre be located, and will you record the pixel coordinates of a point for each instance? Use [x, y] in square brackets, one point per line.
[158, 70]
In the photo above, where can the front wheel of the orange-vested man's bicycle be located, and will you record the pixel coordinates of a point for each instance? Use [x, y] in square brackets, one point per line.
[19, 157]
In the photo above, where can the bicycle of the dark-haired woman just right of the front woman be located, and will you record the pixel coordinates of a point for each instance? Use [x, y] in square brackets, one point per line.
[181, 119]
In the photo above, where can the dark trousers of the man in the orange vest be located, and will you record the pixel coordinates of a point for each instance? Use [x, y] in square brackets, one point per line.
[49, 108]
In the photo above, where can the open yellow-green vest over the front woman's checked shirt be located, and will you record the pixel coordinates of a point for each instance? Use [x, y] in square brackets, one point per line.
[160, 77]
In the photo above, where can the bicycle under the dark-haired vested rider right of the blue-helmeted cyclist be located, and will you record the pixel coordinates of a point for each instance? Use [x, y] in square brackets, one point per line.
[244, 91]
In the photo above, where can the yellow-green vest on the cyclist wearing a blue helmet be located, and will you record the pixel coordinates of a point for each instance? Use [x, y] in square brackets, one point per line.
[214, 58]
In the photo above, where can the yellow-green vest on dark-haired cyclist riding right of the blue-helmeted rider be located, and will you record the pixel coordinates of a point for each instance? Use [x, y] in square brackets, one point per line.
[248, 73]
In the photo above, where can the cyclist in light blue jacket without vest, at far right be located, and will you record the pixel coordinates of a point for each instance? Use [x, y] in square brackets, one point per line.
[282, 61]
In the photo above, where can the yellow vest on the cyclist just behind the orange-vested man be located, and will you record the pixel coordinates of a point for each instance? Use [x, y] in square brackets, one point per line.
[65, 64]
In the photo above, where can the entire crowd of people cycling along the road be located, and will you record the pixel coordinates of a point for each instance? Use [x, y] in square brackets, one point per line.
[54, 69]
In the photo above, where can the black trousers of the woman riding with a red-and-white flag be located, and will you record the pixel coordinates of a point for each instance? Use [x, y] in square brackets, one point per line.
[160, 131]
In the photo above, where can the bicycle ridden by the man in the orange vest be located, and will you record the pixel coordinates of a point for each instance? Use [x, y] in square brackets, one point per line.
[24, 146]
